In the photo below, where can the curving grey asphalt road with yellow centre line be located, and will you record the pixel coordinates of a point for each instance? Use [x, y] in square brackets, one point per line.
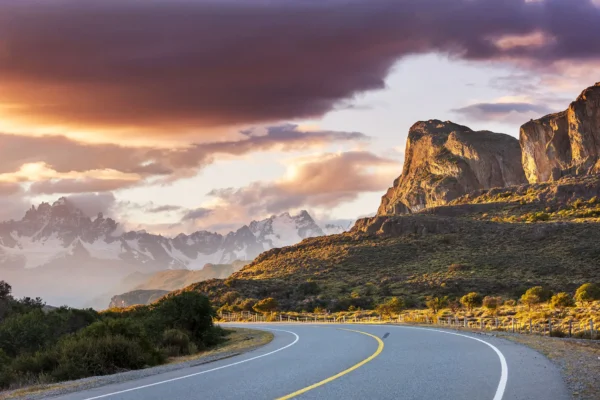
[336, 362]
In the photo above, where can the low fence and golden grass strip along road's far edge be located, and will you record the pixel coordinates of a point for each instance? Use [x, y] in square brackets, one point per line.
[584, 329]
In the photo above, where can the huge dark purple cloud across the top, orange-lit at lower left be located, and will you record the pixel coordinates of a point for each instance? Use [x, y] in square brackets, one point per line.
[174, 67]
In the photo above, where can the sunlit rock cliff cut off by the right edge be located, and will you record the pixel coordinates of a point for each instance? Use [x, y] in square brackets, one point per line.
[565, 143]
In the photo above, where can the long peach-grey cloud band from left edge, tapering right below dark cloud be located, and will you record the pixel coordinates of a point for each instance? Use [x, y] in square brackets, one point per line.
[56, 164]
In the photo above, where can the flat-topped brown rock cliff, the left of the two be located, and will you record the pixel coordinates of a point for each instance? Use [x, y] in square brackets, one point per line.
[445, 160]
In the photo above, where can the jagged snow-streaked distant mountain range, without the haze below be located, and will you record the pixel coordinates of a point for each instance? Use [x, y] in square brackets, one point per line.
[58, 231]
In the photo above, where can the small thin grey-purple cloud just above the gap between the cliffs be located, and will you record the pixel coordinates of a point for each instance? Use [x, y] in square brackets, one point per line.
[509, 112]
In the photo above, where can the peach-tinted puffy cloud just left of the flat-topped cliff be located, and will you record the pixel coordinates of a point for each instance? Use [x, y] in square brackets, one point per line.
[322, 182]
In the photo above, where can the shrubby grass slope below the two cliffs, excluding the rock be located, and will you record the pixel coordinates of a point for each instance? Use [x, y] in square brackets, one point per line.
[473, 245]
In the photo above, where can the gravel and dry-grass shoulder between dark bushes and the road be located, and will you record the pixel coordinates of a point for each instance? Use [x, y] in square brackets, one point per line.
[240, 341]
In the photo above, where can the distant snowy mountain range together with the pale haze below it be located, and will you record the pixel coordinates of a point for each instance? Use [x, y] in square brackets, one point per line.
[57, 252]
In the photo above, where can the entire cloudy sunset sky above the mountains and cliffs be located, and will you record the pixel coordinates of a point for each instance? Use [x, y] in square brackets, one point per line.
[180, 115]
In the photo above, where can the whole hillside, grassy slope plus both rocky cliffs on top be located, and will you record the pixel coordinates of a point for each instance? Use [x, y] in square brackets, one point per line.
[452, 234]
